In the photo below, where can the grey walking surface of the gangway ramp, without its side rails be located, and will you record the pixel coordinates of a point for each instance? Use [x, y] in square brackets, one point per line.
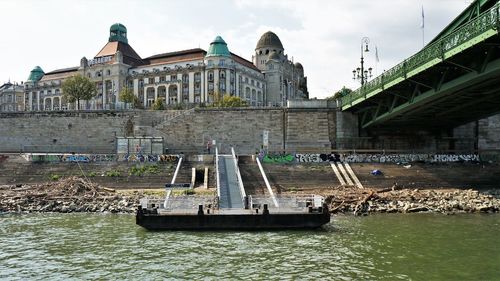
[230, 194]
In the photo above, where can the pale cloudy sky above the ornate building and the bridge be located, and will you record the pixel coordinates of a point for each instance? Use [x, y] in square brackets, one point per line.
[323, 35]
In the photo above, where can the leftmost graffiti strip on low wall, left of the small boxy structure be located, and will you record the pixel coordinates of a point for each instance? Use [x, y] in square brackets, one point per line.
[71, 158]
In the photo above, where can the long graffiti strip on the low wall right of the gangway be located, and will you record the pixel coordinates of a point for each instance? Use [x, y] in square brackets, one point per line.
[367, 158]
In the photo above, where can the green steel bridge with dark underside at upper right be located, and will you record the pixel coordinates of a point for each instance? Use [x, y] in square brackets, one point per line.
[454, 80]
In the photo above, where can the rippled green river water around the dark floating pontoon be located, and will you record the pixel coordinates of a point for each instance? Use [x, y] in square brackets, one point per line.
[377, 247]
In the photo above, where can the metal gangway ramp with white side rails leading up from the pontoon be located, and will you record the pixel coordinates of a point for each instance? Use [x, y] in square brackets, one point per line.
[230, 188]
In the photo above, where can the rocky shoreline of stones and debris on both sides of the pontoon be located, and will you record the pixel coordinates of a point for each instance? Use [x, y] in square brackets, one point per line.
[74, 194]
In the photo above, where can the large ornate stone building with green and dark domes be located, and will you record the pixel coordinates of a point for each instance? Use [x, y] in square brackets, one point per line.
[192, 76]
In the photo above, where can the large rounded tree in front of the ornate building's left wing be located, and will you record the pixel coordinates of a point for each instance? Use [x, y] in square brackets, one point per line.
[77, 88]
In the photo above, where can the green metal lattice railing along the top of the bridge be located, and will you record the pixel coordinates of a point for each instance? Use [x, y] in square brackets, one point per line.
[435, 51]
